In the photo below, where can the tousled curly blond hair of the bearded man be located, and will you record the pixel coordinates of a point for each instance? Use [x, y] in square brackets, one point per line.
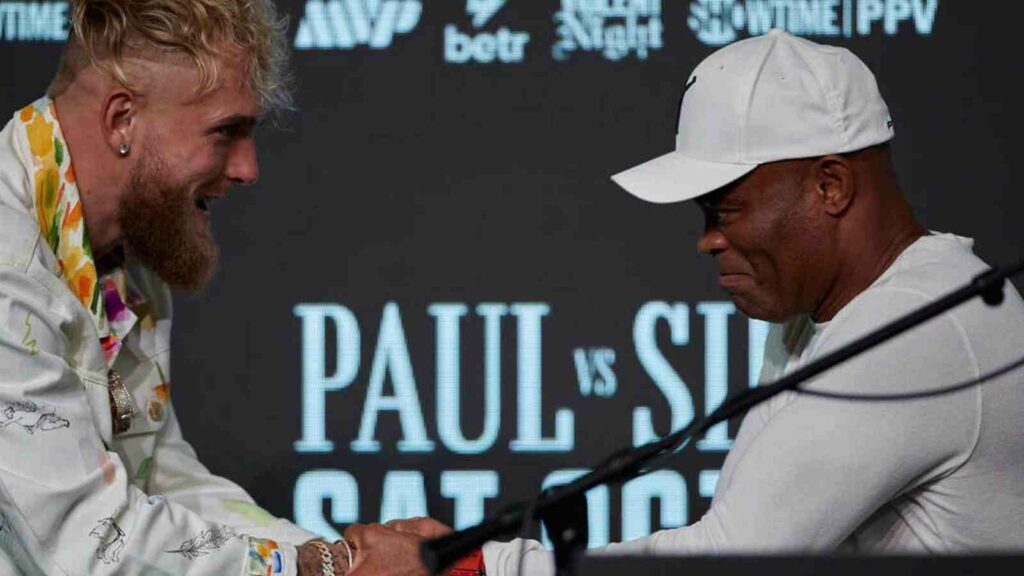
[104, 31]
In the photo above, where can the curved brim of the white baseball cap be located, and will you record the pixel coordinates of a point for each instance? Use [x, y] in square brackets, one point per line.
[675, 178]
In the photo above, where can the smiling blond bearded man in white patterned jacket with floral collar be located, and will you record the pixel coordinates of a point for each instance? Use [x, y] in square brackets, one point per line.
[106, 188]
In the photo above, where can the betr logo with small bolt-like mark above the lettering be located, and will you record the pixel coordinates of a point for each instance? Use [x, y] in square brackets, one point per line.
[503, 46]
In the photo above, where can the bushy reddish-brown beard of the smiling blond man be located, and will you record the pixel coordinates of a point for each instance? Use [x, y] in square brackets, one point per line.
[163, 229]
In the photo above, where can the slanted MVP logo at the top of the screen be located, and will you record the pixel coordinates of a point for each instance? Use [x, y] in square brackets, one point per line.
[346, 24]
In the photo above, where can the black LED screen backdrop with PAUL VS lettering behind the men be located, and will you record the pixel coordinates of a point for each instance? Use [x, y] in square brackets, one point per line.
[436, 302]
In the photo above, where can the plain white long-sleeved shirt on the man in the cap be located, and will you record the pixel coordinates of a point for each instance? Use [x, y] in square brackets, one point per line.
[809, 474]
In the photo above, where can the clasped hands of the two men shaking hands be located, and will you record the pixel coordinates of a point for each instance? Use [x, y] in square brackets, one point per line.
[377, 550]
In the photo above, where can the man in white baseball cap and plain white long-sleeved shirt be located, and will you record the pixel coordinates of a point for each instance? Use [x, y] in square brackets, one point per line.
[783, 144]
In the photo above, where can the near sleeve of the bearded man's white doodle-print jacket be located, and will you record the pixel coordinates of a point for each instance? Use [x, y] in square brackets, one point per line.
[67, 506]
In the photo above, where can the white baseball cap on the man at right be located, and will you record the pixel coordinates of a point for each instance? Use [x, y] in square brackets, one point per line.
[763, 100]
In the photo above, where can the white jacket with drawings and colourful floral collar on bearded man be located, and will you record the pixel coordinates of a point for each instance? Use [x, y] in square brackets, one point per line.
[75, 498]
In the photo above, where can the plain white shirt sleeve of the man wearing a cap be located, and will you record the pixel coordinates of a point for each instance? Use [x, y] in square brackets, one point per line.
[805, 472]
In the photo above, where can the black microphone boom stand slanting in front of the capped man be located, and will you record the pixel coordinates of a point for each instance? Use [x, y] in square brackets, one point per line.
[564, 509]
